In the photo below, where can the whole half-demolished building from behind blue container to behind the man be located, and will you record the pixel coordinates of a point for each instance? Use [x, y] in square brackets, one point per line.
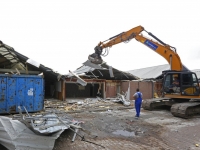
[90, 80]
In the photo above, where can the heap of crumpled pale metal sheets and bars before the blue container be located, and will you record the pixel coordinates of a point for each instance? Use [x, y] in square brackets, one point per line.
[37, 131]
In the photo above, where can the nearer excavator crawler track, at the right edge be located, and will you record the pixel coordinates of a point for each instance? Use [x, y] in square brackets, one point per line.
[186, 109]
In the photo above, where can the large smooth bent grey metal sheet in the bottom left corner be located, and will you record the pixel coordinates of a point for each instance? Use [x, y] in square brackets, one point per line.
[15, 135]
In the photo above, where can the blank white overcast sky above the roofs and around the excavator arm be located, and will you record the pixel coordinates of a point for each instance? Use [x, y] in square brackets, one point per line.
[60, 34]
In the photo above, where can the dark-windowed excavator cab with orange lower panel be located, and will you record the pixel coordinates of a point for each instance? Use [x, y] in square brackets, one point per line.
[177, 84]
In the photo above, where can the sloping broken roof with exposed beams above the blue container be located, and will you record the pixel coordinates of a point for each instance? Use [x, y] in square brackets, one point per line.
[11, 59]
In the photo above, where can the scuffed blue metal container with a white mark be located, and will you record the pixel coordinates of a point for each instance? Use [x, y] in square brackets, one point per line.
[21, 90]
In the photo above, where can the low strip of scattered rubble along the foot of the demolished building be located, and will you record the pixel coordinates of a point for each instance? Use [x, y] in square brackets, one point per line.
[87, 104]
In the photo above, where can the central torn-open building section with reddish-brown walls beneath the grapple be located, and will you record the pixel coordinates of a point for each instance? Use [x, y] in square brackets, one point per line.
[106, 82]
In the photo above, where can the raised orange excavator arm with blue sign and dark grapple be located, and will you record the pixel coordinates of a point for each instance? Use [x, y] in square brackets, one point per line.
[166, 51]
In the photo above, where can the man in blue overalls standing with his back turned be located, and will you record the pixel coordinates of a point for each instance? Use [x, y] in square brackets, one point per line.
[138, 101]
